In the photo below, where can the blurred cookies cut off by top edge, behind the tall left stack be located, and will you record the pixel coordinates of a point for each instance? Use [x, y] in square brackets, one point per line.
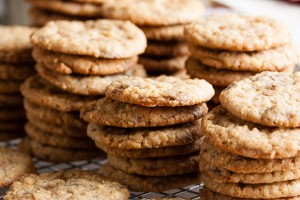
[43, 11]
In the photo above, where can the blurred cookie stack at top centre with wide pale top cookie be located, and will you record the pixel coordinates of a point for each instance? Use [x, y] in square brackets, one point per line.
[162, 21]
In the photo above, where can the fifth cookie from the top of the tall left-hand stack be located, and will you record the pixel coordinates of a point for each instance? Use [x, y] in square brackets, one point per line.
[54, 116]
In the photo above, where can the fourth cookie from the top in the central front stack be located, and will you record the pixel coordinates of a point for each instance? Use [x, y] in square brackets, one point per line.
[151, 152]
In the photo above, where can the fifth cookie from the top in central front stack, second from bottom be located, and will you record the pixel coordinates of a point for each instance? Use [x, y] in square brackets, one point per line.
[156, 166]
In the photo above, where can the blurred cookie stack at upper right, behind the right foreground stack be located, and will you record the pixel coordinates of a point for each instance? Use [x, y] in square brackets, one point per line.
[230, 47]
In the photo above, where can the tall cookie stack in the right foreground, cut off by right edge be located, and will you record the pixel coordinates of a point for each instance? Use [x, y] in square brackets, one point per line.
[251, 148]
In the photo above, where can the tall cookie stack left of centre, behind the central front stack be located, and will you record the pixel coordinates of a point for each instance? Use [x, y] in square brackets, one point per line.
[75, 63]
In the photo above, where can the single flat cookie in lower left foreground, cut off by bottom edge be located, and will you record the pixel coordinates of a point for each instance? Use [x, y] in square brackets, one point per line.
[69, 184]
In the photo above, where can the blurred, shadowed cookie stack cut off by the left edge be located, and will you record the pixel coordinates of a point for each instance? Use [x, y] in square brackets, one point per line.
[16, 64]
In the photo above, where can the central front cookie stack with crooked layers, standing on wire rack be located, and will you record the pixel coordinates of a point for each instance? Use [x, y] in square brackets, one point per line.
[150, 129]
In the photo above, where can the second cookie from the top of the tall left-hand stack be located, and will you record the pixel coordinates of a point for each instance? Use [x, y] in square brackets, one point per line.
[69, 64]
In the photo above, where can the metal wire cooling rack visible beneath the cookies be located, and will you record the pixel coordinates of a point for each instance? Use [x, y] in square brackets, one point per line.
[189, 192]
